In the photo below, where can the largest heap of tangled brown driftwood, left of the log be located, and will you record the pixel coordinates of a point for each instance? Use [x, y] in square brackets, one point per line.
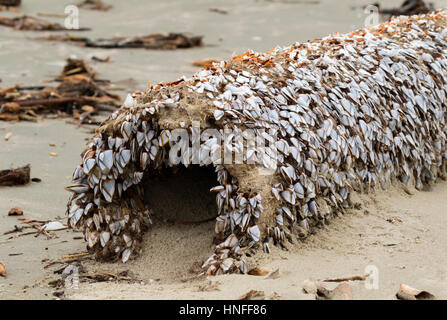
[79, 90]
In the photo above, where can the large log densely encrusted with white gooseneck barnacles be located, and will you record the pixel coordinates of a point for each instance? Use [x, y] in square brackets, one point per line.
[351, 112]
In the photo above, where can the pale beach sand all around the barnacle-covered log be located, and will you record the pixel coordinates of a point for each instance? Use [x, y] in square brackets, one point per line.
[410, 249]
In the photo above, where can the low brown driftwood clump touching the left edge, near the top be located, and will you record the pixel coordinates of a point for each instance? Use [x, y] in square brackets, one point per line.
[29, 23]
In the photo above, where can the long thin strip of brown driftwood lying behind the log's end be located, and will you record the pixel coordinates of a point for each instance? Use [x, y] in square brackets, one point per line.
[151, 41]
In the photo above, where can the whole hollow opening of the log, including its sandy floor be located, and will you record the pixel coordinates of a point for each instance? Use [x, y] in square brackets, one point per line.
[183, 212]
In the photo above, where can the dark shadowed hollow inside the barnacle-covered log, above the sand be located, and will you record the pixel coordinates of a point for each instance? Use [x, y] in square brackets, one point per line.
[182, 194]
